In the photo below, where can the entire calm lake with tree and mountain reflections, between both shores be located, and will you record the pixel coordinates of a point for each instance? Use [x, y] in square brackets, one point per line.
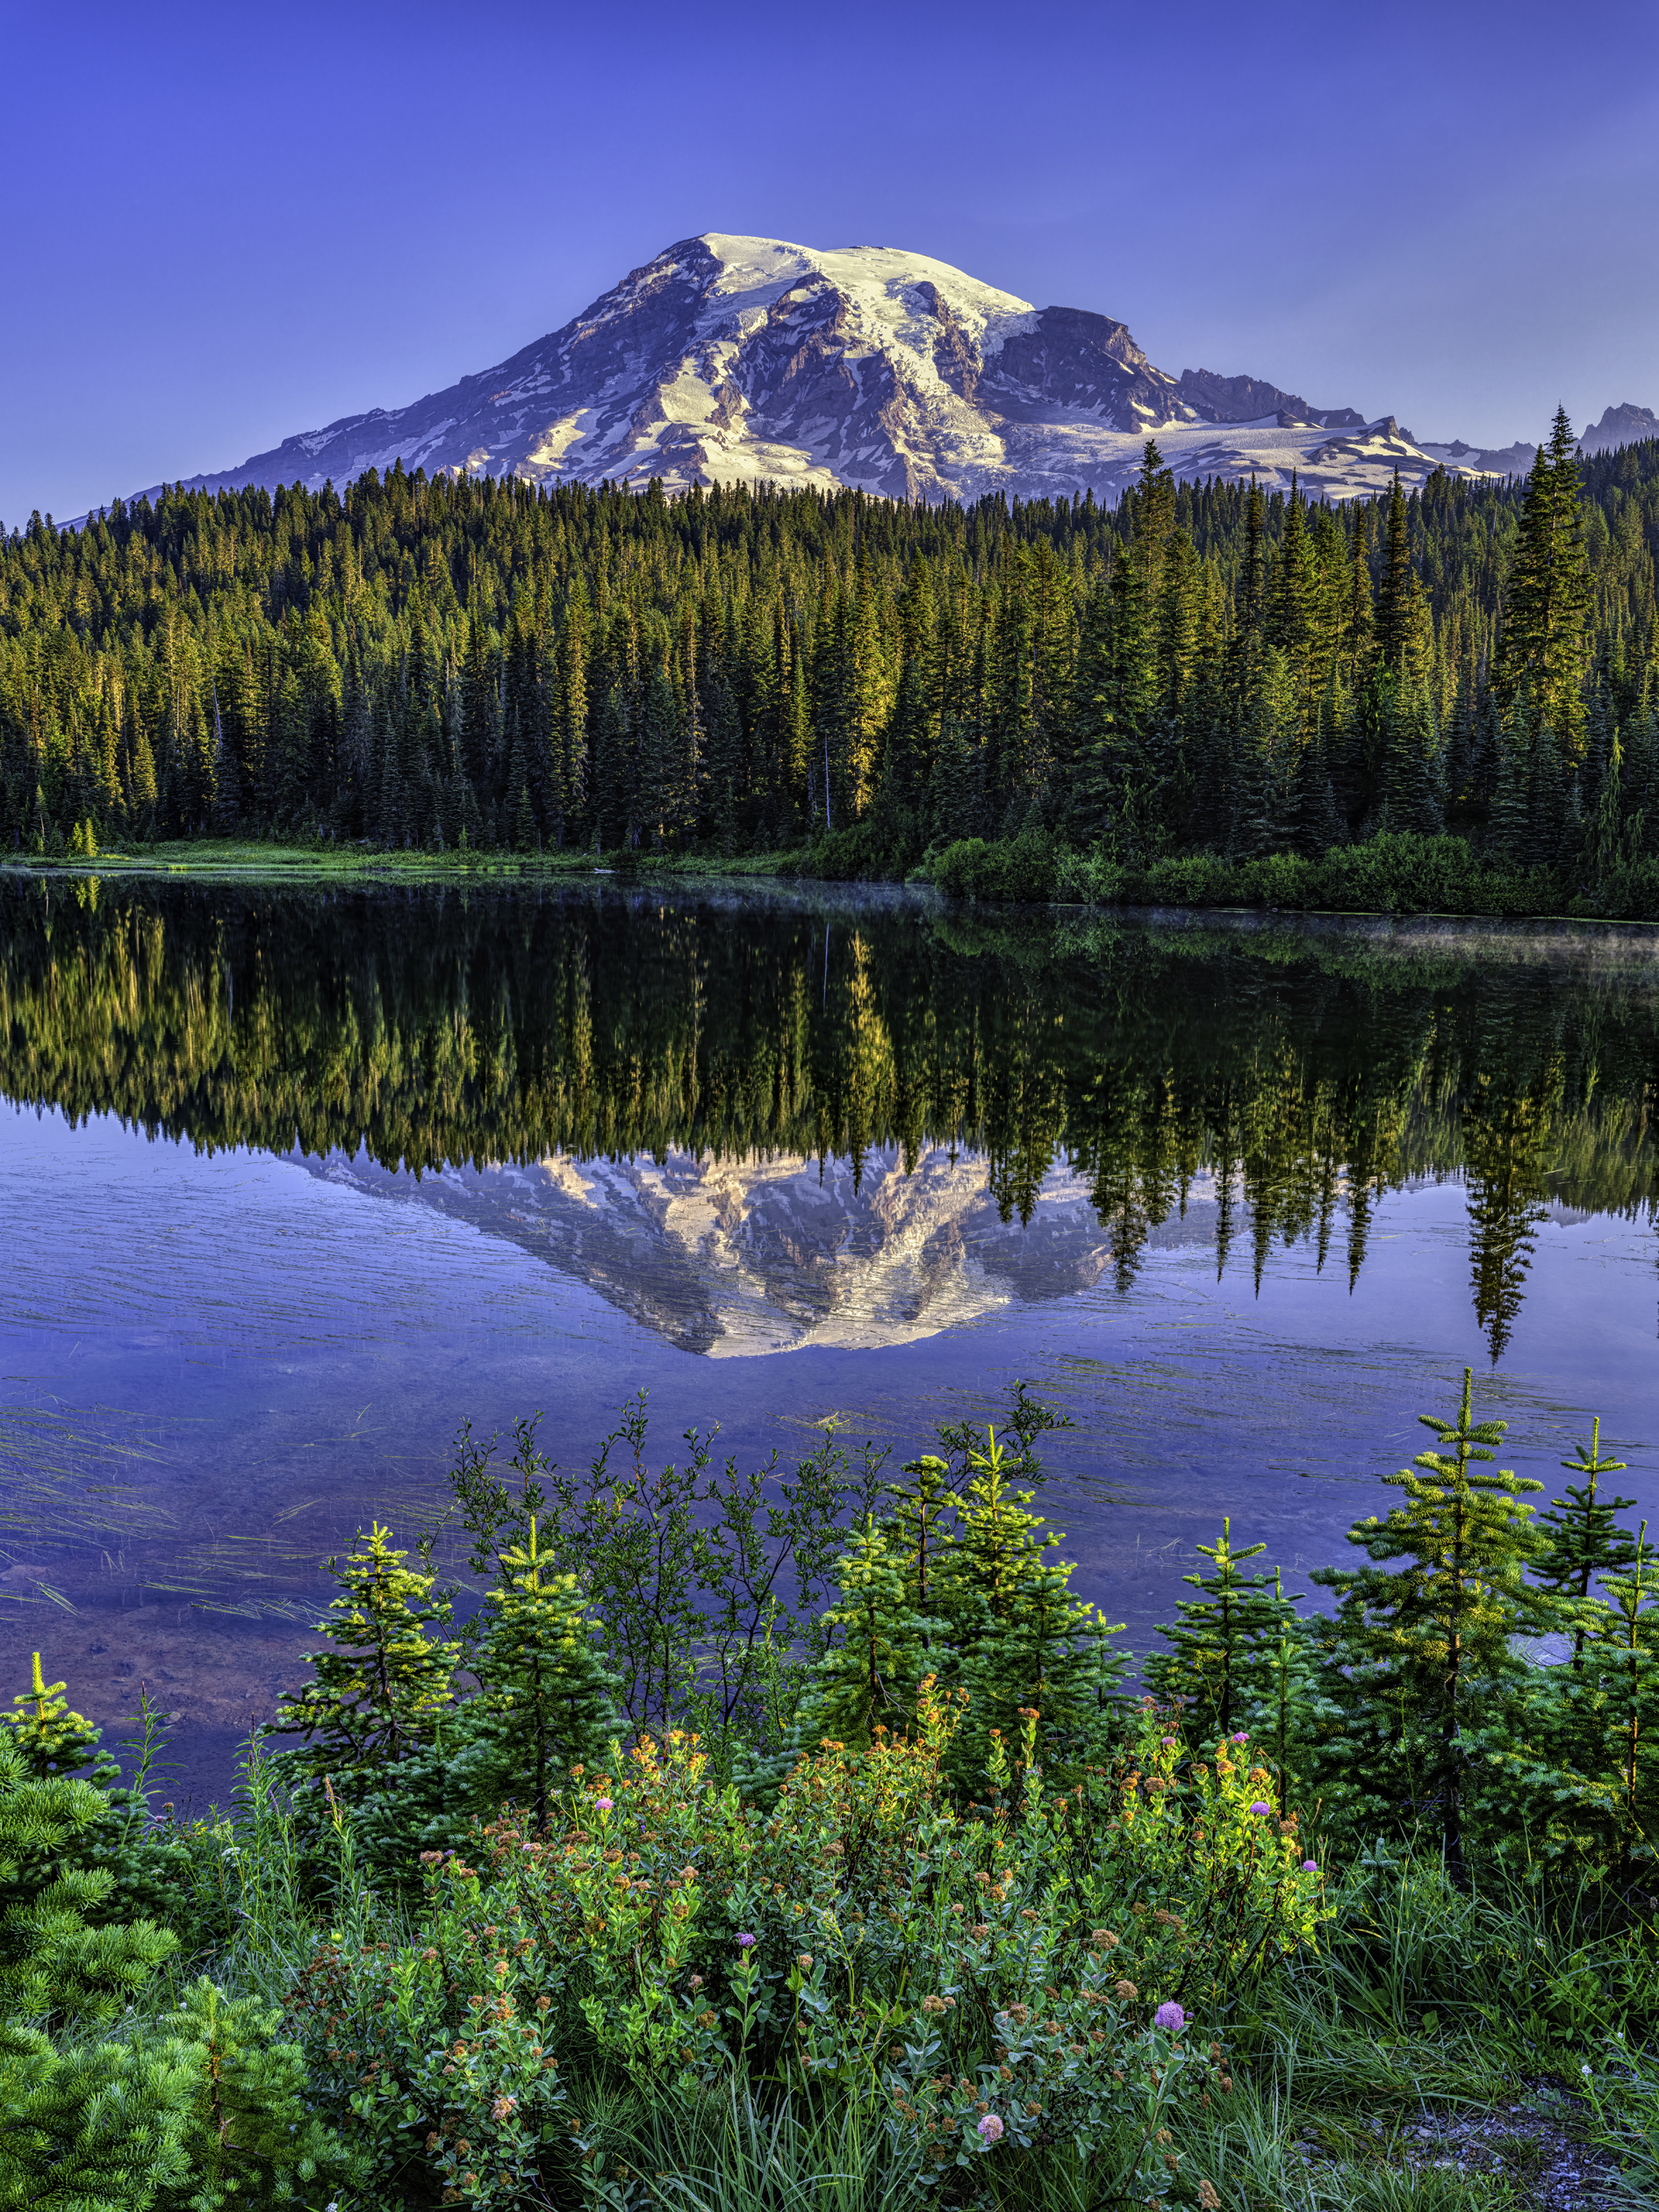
[295, 1182]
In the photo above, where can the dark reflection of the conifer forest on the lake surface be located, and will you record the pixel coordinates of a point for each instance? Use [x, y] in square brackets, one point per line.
[459, 1027]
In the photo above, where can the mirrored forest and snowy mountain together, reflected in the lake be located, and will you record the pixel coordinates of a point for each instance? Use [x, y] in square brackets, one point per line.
[764, 1123]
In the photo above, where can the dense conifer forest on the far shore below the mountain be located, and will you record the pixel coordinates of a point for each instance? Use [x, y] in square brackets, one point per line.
[1202, 669]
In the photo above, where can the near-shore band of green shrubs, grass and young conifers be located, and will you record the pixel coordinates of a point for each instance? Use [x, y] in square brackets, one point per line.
[795, 1837]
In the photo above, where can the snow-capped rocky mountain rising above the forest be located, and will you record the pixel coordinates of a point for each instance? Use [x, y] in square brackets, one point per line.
[753, 359]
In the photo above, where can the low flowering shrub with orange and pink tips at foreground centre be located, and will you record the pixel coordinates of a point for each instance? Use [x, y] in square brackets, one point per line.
[1052, 1963]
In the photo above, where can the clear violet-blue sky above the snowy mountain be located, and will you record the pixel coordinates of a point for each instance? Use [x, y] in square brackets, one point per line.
[225, 225]
